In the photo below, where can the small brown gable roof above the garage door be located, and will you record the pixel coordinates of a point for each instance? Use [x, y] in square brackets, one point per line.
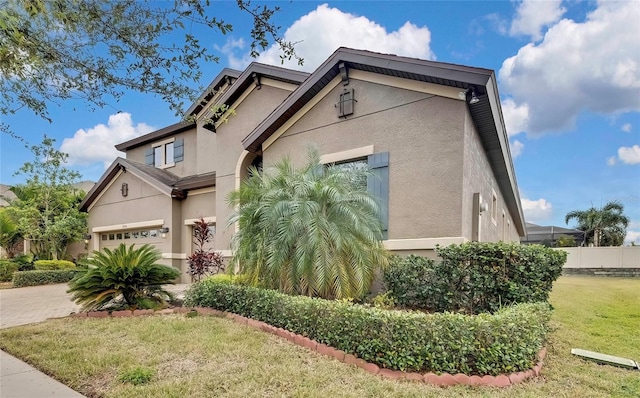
[166, 182]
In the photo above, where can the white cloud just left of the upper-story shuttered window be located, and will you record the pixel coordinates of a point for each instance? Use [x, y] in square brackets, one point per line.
[97, 144]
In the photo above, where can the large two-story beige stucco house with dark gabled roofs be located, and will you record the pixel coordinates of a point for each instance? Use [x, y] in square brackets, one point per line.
[432, 132]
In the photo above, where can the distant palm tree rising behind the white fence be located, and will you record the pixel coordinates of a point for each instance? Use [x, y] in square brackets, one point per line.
[606, 226]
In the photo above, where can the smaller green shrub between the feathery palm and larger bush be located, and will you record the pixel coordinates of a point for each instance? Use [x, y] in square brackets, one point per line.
[409, 281]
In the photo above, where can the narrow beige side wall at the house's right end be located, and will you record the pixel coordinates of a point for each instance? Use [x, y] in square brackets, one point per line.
[479, 177]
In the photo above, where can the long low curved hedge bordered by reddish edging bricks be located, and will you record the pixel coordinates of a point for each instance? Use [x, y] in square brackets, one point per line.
[505, 342]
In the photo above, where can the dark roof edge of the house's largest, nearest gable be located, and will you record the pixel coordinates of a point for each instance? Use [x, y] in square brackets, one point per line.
[486, 114]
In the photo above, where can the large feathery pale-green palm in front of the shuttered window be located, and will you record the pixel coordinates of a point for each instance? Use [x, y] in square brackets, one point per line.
[308, 231]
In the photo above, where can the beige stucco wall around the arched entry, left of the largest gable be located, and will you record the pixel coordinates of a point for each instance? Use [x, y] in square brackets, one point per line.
[248, 114]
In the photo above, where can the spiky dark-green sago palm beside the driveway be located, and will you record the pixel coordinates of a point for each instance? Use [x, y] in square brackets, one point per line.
[123, 277]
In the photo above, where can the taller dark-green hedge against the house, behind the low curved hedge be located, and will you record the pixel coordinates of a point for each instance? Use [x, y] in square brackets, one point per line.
[475, 277]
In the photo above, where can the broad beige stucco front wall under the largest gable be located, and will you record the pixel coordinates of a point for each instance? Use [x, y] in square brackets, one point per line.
[424, 135]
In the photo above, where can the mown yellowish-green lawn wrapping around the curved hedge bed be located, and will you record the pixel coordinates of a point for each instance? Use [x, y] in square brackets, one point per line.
[212, 357]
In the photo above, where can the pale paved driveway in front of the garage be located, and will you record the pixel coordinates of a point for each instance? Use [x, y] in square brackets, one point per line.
[34, 304]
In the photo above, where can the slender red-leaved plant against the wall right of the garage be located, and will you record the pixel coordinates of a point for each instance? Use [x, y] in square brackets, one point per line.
[203, 261]
